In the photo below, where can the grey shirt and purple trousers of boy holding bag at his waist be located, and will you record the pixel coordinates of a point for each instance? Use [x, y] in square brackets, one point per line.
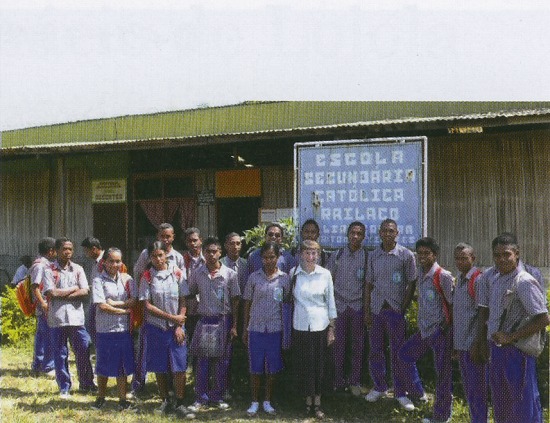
[216, 293]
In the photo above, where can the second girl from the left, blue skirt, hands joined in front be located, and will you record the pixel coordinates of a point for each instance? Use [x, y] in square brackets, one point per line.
[163, 290]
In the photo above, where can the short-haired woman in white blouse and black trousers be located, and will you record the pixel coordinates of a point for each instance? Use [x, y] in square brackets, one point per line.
[313, 322]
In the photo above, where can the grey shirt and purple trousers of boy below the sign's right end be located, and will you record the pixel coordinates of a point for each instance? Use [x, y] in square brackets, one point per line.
[389, 274]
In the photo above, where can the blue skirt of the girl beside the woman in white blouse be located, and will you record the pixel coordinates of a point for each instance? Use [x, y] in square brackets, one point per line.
[264, 350]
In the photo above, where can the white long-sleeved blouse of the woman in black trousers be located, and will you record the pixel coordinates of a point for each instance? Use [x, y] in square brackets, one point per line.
[314, 304]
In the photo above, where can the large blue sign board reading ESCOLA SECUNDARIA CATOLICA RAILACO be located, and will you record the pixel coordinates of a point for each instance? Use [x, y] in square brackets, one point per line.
[365, 180]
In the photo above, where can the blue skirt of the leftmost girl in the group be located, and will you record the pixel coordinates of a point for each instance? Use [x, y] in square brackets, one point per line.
[114, 354]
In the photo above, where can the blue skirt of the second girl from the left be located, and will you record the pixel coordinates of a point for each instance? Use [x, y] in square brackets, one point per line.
[164, 354]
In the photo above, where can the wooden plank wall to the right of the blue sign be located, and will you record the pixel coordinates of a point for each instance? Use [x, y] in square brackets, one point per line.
[481, 185]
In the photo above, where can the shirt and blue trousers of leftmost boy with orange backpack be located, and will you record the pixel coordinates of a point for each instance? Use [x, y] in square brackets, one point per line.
[43, 353]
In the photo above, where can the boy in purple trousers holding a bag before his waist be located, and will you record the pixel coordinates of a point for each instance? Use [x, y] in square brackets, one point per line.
[218, 289]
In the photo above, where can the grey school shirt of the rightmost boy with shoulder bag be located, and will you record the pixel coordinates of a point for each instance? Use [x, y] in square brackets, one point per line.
[528, 300]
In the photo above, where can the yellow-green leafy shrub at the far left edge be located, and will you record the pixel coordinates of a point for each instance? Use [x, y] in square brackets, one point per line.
[15, 326]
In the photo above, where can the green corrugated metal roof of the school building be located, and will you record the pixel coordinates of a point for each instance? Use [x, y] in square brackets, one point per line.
[257, 118]
